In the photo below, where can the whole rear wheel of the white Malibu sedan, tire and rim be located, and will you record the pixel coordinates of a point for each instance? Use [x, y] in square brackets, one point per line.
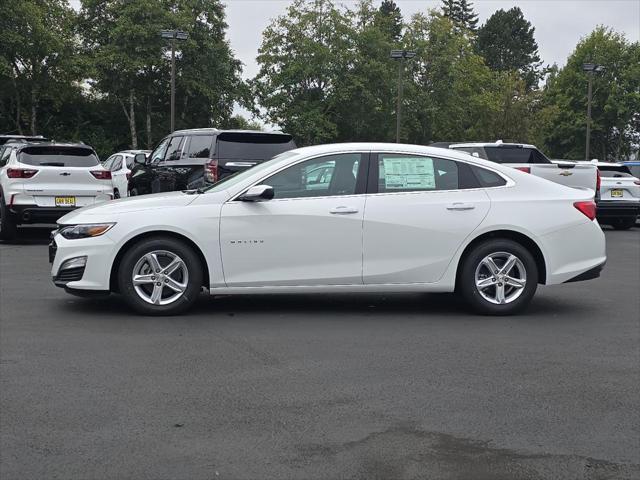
[498, 277]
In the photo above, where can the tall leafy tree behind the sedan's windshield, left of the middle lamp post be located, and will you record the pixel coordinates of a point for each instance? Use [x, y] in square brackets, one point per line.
[302, 55]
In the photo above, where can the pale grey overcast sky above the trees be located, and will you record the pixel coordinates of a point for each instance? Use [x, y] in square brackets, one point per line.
[559, 24]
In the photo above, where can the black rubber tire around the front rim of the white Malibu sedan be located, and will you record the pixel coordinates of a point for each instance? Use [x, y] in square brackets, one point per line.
[134, 256]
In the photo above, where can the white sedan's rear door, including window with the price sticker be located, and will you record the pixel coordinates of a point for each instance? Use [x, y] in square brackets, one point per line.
[422, 212]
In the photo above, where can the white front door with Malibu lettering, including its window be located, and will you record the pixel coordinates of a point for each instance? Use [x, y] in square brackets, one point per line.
[305, 235]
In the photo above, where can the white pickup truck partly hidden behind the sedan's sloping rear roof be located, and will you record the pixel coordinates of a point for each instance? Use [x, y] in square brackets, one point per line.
[531, 160]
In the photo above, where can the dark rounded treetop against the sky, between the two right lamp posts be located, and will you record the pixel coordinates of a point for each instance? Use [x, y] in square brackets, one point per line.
[507, 42]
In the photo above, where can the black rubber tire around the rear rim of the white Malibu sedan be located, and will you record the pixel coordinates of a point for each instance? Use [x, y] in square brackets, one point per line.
[472, 264]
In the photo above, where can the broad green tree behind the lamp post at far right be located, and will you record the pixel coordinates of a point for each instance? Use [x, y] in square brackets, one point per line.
[615, 129]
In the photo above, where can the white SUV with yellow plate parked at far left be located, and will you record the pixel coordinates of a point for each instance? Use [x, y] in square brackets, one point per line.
[40, 182]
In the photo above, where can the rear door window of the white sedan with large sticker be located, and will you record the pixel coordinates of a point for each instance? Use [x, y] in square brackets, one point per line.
[413, 173]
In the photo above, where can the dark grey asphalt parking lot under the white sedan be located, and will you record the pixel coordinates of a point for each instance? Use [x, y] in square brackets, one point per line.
[349, 386]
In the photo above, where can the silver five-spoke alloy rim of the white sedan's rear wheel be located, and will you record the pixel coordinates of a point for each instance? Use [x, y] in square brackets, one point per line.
[500, 278]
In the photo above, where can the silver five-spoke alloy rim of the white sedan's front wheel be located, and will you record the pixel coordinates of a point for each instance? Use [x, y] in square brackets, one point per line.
[160, 277]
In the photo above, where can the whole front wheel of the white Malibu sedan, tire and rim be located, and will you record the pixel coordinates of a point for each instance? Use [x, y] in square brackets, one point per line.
[160, 276]
